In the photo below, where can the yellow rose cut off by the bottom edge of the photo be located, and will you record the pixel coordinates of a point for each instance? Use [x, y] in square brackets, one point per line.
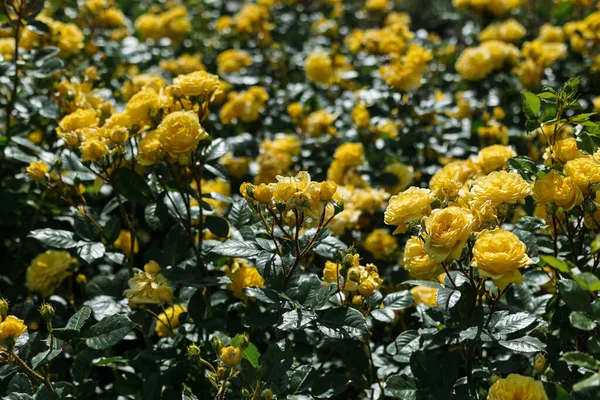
[517, 387]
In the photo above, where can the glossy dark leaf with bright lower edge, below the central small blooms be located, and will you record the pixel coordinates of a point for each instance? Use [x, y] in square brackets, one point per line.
[342, 323]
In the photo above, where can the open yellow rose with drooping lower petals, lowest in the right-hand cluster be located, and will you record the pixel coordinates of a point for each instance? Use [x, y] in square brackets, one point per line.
[498, 254]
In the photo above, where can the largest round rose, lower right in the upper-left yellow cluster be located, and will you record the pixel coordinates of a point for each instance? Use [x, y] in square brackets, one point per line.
[180, 132]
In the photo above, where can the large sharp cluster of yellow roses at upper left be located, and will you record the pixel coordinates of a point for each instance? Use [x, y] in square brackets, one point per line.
[172, 137]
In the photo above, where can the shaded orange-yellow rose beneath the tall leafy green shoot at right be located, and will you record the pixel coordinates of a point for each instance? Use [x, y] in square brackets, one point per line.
[556, 189]
